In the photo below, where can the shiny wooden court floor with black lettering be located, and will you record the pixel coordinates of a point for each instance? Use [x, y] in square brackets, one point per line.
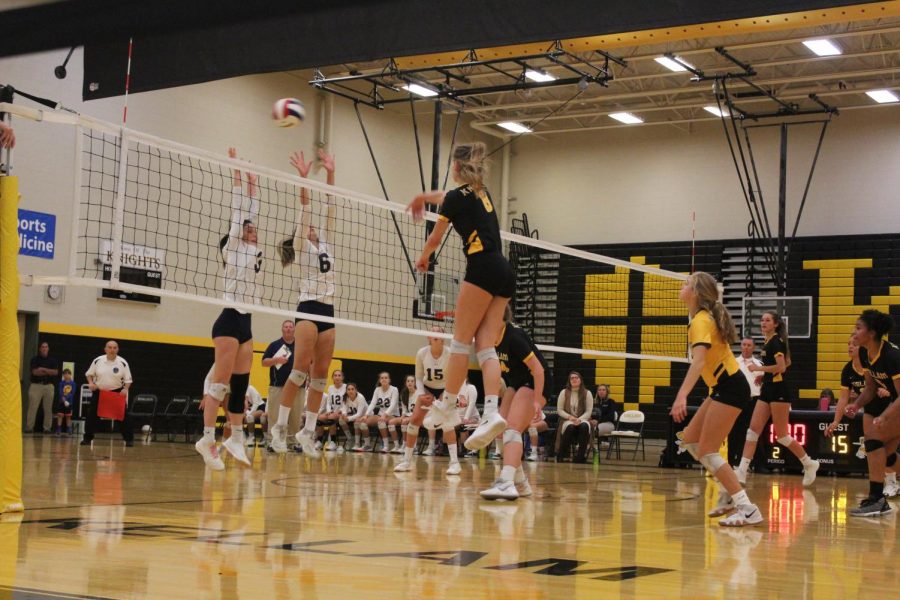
[150, 521]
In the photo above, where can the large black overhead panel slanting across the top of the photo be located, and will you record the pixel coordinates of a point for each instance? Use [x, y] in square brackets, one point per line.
[179, 43]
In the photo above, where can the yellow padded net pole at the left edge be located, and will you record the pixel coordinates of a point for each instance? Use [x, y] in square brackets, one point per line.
[10, 386]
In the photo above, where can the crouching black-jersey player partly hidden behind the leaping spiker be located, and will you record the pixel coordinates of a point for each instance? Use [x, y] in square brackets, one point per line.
[528, 385]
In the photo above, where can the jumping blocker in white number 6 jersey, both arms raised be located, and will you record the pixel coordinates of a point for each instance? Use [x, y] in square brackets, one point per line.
[314, 339]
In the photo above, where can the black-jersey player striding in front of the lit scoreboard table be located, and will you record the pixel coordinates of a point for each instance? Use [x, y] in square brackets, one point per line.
[774, 399]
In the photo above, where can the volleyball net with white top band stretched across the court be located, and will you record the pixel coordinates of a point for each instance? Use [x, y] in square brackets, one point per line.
[149, 215]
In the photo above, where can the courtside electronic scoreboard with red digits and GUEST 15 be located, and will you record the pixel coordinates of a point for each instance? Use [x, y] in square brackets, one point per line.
[839, 453]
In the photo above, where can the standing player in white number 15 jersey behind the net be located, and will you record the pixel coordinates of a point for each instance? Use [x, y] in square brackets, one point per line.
[431, 366]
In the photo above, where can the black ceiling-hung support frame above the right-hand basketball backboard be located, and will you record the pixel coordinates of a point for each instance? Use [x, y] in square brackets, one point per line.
[730, 90]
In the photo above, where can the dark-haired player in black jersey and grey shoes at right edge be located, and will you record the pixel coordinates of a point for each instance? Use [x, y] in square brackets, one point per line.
[881, 422]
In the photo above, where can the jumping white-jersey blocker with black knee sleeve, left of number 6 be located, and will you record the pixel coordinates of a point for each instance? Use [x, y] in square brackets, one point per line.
[231, 333]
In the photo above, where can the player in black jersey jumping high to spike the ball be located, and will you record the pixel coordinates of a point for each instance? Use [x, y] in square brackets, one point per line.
[484, 292]
